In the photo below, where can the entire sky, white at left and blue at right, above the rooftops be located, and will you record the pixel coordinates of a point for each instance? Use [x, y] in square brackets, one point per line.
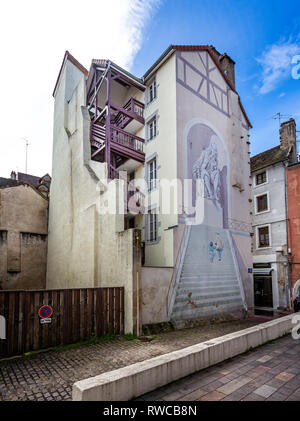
[262, 37]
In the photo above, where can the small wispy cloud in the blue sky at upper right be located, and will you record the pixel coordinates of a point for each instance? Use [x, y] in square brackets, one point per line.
[276, 64]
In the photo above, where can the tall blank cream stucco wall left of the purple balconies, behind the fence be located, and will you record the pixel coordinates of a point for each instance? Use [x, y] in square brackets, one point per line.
[86, 249]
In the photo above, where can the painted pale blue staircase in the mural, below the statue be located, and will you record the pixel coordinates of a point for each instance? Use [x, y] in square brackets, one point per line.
[205, 288]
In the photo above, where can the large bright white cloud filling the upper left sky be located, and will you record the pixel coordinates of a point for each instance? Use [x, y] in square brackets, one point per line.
[35, 35]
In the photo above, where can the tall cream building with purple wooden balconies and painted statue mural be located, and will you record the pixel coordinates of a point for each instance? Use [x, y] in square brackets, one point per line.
[114, 133]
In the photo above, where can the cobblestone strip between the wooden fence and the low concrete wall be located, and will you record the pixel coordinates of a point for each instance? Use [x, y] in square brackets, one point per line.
[50, 375]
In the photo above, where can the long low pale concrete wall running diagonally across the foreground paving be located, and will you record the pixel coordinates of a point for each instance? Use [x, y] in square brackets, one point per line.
[132, 381]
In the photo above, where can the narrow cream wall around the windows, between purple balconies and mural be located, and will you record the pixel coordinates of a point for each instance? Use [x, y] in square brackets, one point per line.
[164, 148]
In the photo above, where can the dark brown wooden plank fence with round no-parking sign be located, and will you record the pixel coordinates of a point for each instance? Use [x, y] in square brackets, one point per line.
[77, 315]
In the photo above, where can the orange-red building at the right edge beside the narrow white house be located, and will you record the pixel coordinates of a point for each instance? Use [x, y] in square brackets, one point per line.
[293, 196]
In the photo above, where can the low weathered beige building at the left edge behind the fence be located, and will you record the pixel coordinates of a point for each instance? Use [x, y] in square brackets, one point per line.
[23, 231]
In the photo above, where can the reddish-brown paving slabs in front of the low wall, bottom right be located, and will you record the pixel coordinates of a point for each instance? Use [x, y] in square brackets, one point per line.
[268, 373]
